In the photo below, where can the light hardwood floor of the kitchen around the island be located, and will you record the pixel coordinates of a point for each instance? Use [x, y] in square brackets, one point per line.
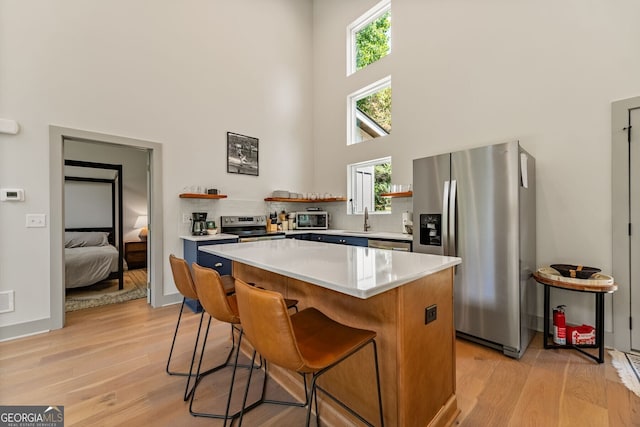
[107, 368]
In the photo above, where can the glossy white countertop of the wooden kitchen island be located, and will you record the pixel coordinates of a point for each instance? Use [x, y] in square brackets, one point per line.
[353, 270]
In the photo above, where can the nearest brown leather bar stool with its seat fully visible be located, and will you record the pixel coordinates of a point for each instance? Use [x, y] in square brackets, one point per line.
[307, 342]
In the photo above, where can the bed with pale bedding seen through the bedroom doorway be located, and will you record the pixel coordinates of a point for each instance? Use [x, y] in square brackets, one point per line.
[89, 258]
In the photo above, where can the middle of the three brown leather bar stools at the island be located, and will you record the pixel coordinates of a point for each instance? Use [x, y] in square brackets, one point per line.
[224, 308]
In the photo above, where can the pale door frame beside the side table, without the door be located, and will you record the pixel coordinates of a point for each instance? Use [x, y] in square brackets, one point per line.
[620, 221]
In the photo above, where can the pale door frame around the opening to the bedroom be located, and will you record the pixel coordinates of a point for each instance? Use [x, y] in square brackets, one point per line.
[57, 136]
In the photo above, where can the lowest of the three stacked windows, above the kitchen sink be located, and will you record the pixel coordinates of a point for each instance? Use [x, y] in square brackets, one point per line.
[368, 180]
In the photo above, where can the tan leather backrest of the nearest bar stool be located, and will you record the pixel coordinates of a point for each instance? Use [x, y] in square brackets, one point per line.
[267, 325]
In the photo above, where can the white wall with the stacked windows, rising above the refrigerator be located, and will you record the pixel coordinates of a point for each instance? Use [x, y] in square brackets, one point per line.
[466, 74]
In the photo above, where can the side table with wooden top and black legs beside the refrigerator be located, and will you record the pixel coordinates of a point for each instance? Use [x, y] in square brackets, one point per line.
[580, 286]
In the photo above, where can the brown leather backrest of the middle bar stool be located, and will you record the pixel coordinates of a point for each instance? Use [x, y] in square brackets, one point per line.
[213, 296]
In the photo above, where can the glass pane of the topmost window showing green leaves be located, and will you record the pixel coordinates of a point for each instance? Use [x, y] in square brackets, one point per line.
[373, 41]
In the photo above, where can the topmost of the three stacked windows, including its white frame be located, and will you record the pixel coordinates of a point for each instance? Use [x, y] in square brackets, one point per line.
[369, 37]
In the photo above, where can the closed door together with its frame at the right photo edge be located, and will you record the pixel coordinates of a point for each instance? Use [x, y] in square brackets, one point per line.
[626, 222]
